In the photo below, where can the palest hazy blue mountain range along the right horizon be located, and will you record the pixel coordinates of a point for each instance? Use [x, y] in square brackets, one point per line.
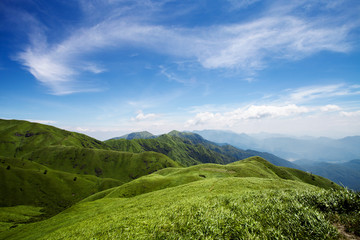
[315, 149]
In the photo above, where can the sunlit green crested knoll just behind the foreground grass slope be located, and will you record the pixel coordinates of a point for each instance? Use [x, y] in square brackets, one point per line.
[171, 177]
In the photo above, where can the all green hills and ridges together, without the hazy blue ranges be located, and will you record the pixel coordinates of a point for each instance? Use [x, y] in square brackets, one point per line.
[57, 184]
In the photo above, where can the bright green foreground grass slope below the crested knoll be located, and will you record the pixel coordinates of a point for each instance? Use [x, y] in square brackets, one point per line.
[217, 208]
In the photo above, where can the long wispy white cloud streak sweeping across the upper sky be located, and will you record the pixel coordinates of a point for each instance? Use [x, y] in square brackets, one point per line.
[249, 46]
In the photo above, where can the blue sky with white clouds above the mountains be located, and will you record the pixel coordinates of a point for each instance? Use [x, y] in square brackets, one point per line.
[110, 67]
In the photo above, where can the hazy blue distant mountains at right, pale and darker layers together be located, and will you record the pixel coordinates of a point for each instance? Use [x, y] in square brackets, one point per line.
[330, 158]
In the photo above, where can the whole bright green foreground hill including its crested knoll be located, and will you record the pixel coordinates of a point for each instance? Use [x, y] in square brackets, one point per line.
[249, 199]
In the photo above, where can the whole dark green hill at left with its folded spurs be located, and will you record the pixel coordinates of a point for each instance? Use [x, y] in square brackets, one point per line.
[51, 168]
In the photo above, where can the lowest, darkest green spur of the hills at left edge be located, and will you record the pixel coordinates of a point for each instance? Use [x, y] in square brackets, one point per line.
[27, 183]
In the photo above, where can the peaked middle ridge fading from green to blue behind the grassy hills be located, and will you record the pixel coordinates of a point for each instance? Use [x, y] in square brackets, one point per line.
[189, 148]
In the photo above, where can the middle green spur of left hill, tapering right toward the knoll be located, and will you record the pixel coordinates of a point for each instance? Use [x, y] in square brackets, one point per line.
[102, 163]
